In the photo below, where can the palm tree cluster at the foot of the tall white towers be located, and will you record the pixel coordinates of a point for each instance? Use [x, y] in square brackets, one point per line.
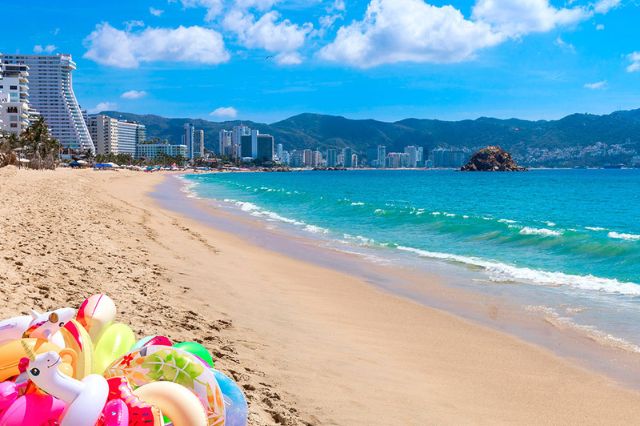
[34, 144]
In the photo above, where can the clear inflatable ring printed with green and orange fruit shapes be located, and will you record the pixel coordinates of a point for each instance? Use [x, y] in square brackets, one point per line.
[164, 363]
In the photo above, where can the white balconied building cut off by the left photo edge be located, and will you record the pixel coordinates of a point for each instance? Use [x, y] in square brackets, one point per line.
[15, 112]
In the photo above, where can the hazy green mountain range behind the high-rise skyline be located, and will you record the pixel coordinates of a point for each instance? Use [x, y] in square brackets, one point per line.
[575, 140]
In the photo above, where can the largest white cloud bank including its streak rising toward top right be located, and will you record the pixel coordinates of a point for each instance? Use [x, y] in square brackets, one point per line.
[416, 31]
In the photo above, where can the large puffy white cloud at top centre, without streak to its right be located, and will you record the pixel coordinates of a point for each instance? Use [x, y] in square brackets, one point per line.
[409, 30]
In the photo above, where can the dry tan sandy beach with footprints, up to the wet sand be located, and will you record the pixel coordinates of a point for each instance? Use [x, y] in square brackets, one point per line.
[309, 344]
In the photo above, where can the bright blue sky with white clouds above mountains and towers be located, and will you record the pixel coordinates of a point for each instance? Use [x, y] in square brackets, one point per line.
[266, 60]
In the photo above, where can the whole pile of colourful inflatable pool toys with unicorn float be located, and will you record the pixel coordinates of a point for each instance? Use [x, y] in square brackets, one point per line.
[80, 368]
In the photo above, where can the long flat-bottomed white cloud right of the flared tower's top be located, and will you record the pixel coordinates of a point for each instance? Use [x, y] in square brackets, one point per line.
[126, 49]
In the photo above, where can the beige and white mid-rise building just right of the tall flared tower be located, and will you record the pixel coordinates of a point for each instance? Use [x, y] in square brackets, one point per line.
[113, 136]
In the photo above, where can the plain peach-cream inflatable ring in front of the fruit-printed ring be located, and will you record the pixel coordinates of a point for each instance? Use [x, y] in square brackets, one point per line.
[175, 402]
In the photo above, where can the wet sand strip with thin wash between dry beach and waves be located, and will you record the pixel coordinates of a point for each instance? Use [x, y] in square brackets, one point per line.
[451, 287]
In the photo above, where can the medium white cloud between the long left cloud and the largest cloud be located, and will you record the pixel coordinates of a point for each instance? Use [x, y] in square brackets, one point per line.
[268, 32]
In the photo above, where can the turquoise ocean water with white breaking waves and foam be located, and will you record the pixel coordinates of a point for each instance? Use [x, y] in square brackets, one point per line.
[567, 240]
